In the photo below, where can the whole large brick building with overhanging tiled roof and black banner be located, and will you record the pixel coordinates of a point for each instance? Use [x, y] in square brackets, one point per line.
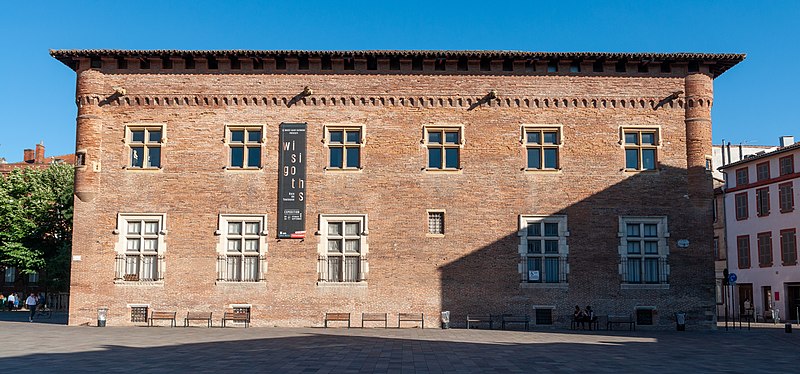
[294, 183]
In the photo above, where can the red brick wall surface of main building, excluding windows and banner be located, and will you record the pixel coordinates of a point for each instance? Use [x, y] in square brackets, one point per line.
[473, 269]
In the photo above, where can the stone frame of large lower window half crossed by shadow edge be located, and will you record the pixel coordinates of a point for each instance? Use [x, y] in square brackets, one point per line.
[563, 248]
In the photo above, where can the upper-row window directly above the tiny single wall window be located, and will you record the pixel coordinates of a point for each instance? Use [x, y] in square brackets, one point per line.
[444, 147]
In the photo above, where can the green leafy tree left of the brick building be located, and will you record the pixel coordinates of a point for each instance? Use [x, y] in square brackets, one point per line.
[36, 221]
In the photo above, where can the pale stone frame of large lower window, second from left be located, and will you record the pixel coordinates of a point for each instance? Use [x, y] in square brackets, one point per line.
[222, 246]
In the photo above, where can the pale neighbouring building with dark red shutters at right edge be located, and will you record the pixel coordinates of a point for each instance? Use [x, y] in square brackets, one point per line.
[761, 229]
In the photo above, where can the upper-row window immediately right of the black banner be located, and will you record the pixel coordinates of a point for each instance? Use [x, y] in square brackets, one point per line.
[344, 147]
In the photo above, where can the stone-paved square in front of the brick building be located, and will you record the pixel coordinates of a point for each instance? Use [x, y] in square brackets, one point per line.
[40, 347]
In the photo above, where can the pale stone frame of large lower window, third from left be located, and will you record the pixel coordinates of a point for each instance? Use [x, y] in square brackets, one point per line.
[322, 249]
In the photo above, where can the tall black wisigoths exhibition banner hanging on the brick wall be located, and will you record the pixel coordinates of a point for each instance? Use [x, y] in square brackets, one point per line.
[292, 182]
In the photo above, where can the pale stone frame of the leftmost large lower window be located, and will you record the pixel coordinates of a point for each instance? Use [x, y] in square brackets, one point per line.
[120, 247]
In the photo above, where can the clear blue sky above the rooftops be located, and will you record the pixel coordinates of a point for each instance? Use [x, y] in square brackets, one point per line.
[754, 101]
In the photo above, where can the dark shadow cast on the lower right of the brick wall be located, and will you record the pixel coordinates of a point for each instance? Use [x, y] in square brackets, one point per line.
[491, 279]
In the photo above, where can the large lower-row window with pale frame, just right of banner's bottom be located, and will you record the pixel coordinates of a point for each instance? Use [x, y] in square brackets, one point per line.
[343, 248]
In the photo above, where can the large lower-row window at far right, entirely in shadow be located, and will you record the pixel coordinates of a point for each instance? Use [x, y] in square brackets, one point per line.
[644, 250]
